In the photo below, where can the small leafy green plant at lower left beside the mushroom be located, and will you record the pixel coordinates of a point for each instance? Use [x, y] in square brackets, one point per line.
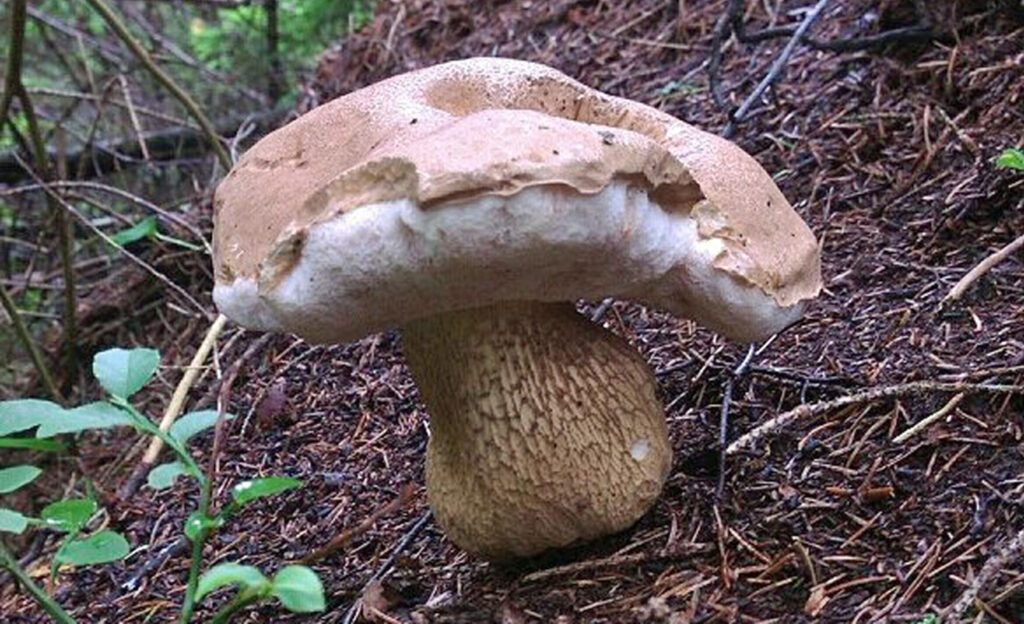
[122, 373]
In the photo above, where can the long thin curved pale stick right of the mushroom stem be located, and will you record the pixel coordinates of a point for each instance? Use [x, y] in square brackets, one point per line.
[815, 409]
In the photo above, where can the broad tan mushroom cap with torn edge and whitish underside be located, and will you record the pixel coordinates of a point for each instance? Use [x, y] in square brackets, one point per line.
[485, 181]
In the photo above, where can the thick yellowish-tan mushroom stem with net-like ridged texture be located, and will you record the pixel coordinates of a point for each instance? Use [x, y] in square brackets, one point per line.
[545, 428]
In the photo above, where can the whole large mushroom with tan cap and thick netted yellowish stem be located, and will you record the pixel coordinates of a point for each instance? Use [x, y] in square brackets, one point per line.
[471, 204]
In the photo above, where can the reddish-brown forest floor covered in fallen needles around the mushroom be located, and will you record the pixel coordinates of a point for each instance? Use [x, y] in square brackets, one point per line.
[888, 154]
